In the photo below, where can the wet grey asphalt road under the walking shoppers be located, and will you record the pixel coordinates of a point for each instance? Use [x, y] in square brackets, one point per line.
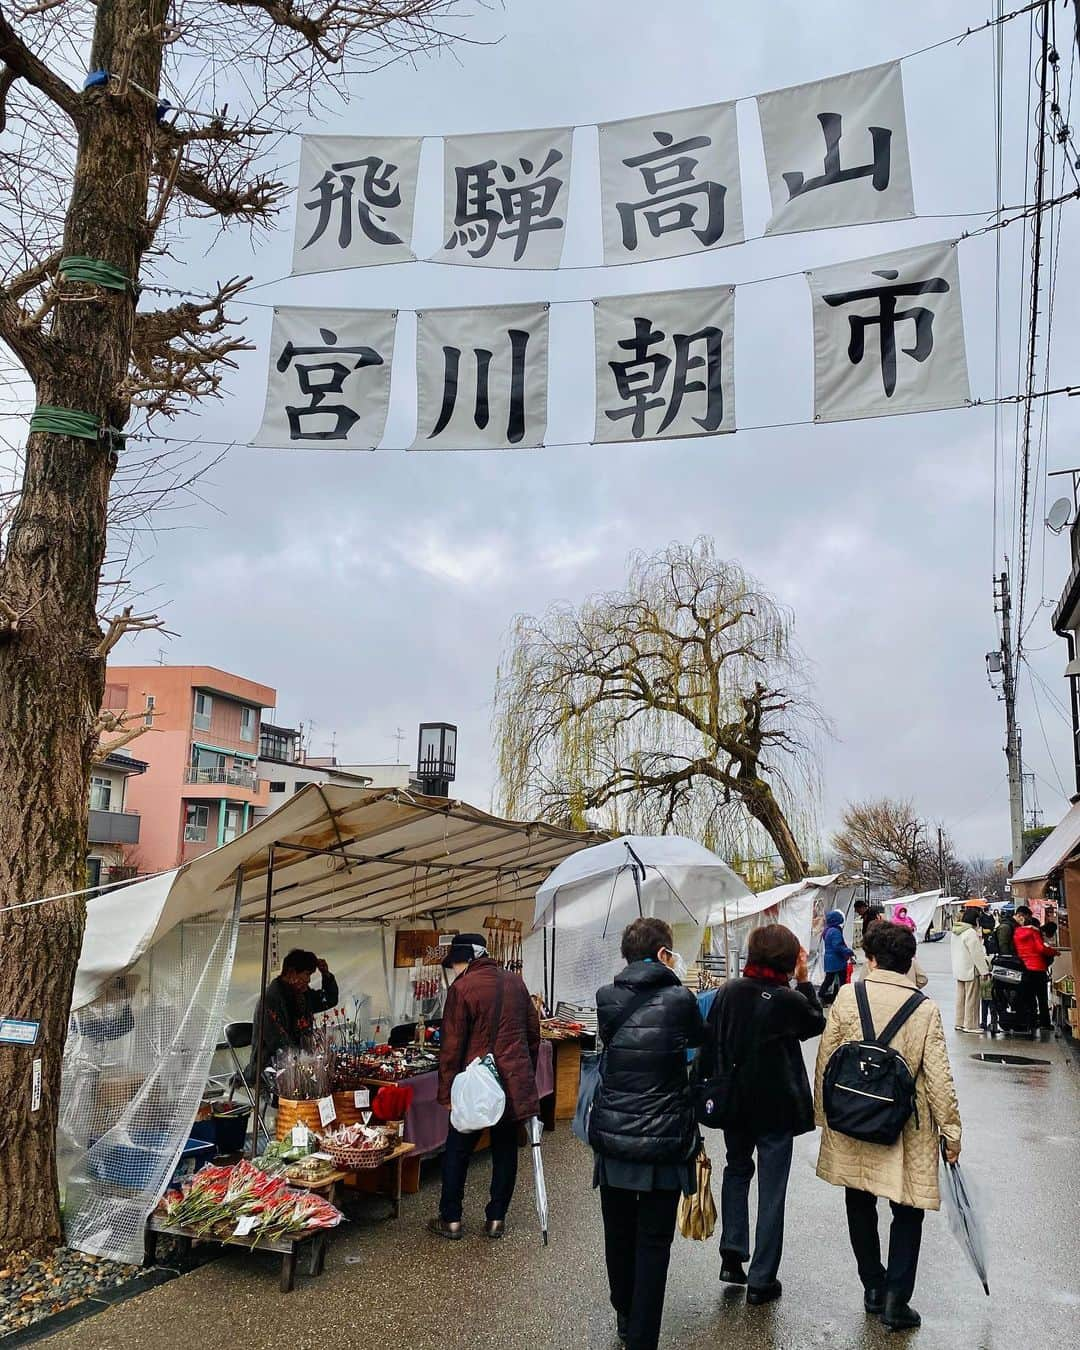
[391, 1285]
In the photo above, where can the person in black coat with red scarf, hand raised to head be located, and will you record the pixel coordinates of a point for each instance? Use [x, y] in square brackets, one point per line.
[757, 1027]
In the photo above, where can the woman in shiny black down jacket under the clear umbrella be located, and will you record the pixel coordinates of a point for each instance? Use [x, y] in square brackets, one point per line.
[643, 1127]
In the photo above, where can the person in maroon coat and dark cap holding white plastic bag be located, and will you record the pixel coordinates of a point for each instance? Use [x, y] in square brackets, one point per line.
[469, 1033]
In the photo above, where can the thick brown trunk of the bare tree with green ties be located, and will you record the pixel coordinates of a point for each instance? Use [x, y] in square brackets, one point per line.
[52, 678]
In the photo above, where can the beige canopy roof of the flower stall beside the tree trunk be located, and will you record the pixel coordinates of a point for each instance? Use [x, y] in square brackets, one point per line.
[340, 854]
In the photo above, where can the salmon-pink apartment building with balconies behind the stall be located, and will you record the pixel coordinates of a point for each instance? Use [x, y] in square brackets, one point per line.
[200, 788]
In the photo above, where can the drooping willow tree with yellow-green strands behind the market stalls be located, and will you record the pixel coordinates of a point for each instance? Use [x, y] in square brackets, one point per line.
[678, 705]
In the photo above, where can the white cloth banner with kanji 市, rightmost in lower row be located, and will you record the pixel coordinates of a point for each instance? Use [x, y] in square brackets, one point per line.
[889, 335]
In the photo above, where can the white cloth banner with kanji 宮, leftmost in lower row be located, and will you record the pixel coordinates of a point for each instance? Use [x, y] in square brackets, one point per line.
[329, 385]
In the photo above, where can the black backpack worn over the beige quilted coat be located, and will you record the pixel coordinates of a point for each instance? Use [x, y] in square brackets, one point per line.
[869, 1090]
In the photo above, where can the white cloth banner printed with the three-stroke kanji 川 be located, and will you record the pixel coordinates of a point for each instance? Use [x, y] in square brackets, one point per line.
[483, 377]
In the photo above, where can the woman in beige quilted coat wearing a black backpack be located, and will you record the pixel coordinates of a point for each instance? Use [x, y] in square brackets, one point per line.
[905, 1172]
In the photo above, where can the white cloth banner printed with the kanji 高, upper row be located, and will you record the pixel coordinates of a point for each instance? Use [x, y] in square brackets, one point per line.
[670, 184]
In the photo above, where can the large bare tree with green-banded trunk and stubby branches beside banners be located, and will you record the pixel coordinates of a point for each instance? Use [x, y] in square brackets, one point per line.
[180, 117]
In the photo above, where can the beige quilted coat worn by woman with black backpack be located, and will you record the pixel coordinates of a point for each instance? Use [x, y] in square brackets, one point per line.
[908, 1170]
